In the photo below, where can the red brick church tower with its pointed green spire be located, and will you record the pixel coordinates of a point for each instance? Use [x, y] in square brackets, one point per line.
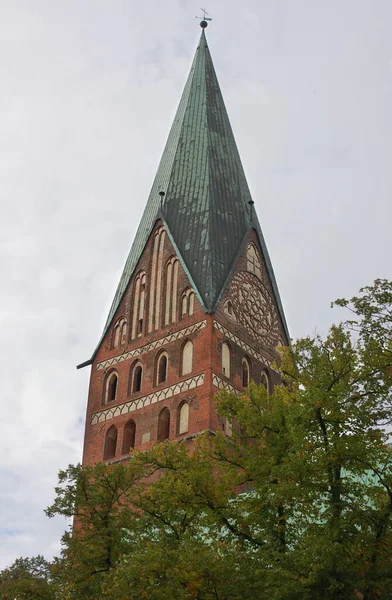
[197, 308]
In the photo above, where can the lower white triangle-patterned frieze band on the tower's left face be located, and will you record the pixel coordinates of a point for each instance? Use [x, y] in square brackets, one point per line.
[158, 396]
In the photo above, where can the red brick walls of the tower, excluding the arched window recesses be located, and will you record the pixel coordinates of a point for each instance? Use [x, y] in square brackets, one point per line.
[197, 388]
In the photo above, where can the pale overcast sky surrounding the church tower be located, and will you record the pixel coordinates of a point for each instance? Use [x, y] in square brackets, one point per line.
[88, 93]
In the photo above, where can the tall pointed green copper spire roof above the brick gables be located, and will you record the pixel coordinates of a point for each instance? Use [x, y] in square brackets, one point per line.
[206, 209]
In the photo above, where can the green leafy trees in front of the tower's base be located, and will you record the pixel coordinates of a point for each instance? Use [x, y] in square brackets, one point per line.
[296, 504]
